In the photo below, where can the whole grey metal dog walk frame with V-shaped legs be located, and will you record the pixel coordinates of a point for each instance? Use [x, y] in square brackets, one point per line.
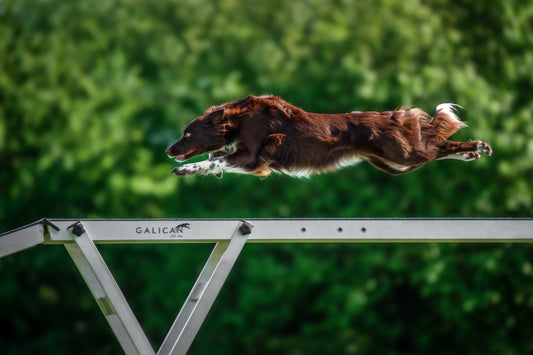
[229, 235]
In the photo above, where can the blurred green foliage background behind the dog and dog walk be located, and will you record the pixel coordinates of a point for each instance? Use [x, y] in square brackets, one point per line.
[91, 94]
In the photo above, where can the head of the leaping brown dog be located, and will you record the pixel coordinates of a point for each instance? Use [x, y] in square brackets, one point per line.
[205, 134]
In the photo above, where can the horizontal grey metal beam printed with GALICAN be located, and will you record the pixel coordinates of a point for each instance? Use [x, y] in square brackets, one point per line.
[304, 230]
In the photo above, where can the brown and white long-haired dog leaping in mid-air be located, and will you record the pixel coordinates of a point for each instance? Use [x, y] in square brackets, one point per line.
[260, 134]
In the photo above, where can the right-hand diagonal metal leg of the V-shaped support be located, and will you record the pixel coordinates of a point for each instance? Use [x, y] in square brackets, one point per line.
[204, 292]
